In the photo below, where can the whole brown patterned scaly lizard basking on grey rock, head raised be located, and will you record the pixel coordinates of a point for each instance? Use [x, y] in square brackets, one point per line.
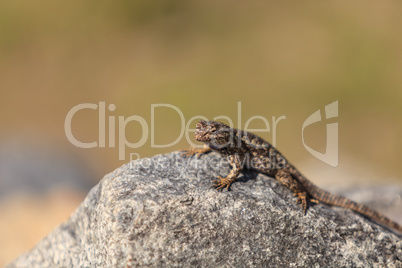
[246, 150]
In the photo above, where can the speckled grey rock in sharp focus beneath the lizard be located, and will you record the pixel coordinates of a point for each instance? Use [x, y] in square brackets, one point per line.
[161, 211]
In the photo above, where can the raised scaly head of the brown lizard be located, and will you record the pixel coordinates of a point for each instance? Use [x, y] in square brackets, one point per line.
[213, 133]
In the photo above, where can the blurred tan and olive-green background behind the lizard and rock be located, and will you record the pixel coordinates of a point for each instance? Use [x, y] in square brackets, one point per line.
[274, 58]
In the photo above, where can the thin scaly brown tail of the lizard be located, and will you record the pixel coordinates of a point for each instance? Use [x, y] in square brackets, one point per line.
[340, 201]
